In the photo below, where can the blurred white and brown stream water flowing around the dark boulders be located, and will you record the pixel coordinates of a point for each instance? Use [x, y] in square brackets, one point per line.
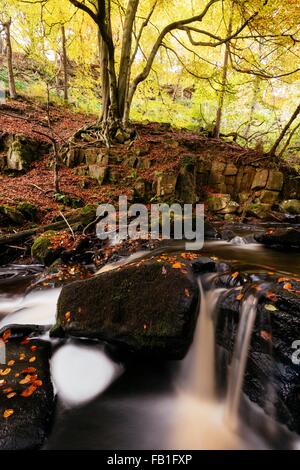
[153, 405]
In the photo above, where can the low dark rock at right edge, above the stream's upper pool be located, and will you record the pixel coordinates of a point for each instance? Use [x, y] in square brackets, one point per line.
[284, 238]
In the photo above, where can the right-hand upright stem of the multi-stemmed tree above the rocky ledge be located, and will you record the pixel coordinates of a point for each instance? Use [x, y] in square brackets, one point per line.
[124, 71]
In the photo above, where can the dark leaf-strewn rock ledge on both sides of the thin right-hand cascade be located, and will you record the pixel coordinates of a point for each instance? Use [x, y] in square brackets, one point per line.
[272, 379]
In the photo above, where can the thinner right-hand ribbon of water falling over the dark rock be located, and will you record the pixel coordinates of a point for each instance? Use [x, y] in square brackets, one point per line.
[239, 359]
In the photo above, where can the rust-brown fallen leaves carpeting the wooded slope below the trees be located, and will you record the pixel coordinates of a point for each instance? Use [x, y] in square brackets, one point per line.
[165, 148]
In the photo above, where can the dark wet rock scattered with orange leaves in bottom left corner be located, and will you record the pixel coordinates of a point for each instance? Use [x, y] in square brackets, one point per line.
[26, 392]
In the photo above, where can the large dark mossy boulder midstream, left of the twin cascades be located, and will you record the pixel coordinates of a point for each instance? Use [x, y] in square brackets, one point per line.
[149, 307]
